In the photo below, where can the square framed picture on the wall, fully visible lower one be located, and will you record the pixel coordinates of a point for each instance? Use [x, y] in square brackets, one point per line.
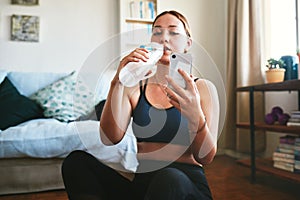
[25, 28]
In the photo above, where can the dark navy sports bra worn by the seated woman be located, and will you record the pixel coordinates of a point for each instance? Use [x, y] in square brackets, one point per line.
[151, 124]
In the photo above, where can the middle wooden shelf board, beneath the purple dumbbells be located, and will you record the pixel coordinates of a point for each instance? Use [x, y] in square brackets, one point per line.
[274, 128]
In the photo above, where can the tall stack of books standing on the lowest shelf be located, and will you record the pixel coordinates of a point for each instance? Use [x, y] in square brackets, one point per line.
[284, 156]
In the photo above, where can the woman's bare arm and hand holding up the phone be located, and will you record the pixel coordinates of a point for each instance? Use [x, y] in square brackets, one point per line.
[199, 103]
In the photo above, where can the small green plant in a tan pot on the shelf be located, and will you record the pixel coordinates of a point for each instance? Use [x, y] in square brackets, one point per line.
[275, 71]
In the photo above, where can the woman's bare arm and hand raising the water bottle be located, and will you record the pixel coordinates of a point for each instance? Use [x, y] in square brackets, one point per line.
[117, 110]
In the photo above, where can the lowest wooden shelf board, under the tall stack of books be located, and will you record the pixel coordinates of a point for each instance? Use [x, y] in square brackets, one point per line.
[266, 165]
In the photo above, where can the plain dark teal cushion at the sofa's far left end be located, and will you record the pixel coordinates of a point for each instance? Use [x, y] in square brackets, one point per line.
[16, 108]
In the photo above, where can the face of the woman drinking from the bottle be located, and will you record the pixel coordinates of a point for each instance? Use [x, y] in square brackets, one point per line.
[169, 31]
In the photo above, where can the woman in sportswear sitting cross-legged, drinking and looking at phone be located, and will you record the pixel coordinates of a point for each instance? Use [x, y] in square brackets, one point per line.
[171, 158]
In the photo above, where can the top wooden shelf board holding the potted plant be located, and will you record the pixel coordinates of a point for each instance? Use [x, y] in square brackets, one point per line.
[281, 86]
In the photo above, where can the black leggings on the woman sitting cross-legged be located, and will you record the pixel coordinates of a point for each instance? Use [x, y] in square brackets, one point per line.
[87, 178]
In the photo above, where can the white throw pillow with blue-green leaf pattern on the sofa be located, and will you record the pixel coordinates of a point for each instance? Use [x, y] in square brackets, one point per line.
[66, 99]
